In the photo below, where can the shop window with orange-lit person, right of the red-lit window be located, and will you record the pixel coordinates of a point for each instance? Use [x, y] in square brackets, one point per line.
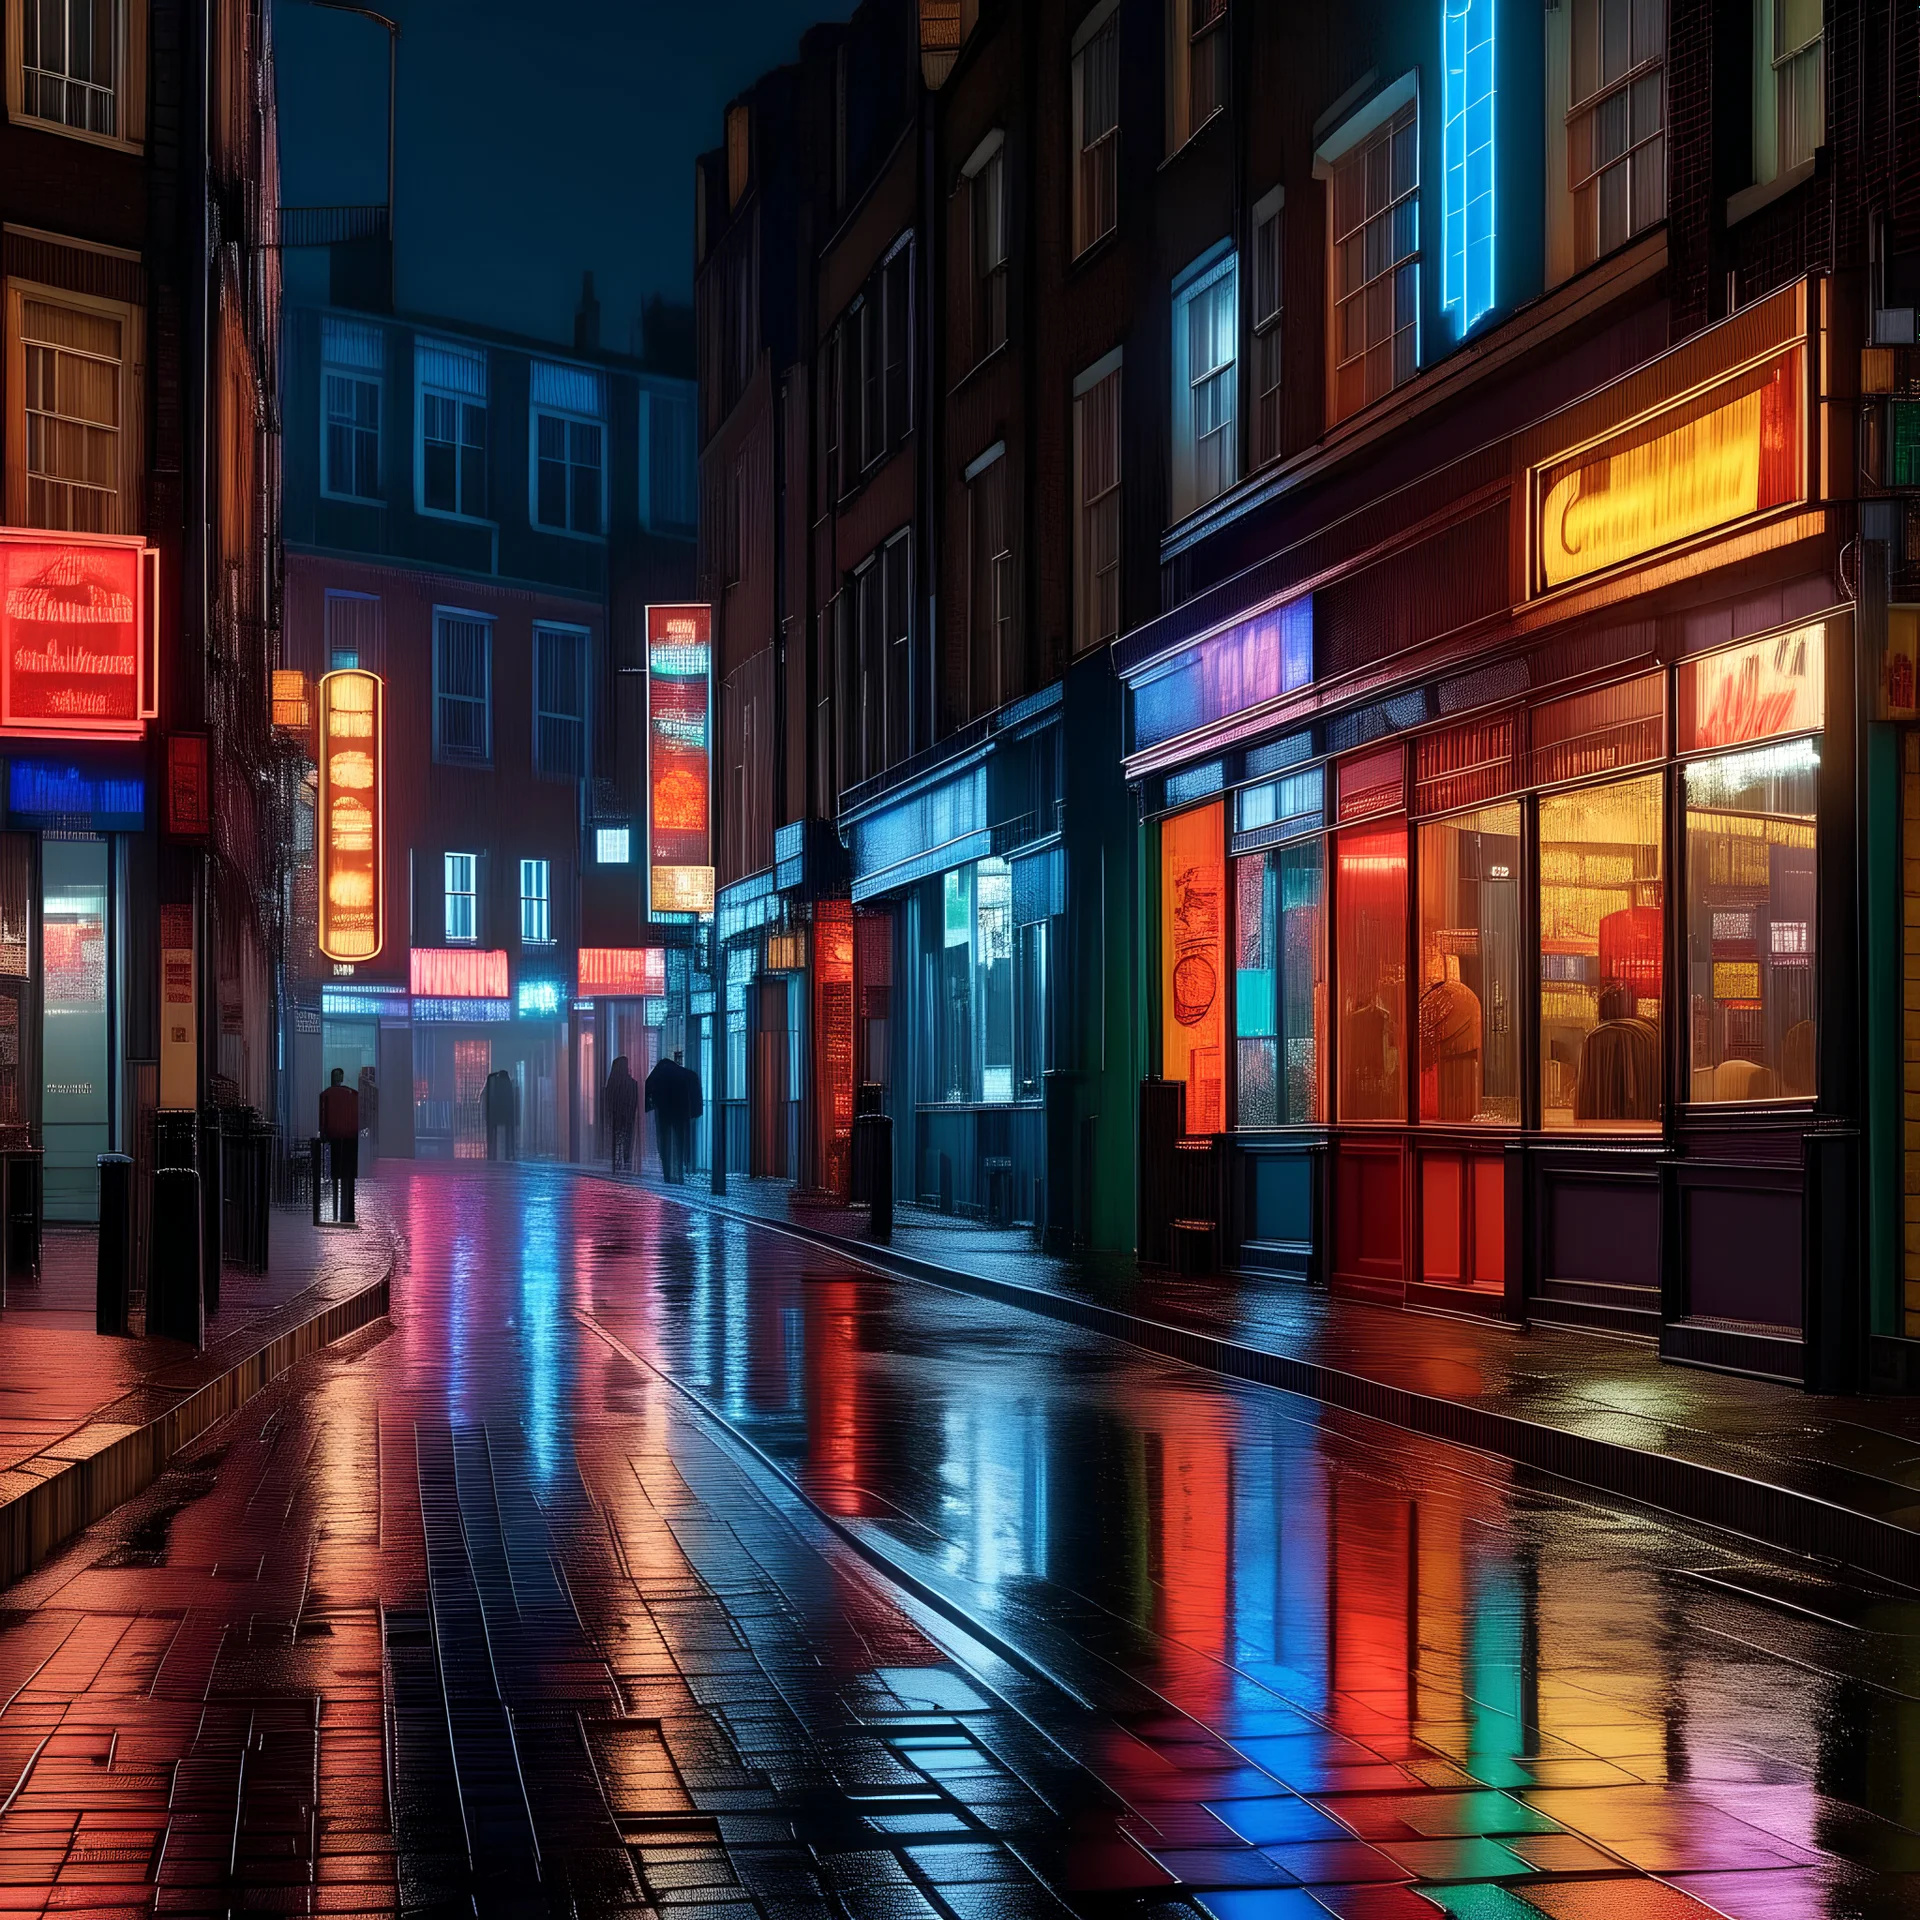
[1472, 969]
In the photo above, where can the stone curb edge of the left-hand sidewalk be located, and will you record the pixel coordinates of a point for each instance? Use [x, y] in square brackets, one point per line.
[51, 1497]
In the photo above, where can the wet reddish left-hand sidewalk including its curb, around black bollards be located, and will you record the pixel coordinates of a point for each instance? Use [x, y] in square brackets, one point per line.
[87, 1420]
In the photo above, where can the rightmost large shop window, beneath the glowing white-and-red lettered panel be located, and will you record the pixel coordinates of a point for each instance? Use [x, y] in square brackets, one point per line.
[1750, 903]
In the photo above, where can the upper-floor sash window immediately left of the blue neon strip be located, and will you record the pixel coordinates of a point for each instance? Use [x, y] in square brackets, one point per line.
[1376, 276]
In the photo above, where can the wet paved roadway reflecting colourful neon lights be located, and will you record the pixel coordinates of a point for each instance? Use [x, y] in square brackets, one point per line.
[516, 1604]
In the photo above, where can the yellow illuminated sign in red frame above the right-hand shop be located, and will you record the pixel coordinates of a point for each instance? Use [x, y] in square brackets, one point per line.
[1704, 464]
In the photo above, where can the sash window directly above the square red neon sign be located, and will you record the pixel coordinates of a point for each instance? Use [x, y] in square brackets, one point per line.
[78, 460]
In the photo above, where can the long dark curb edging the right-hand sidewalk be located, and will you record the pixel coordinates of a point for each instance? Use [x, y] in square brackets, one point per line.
[1691, 1491]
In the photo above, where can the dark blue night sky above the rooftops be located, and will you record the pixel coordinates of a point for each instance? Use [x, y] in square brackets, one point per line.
[537, 139]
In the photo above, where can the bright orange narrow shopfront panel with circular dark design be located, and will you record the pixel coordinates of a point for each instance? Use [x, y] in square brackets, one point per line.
[1193, 959]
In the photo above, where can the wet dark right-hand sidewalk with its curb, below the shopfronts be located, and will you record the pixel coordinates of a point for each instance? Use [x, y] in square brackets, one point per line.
[1835, 1477]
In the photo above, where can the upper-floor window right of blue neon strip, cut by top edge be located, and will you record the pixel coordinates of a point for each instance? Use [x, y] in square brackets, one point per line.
[1616, 124]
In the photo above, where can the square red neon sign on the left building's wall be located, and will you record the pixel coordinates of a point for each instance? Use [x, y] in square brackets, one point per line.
[78, 635]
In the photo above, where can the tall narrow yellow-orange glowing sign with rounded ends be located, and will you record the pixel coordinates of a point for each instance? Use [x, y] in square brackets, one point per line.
[352, 911]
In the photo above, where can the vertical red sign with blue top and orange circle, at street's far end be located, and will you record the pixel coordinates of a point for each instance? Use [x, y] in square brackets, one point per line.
[679, 761]
